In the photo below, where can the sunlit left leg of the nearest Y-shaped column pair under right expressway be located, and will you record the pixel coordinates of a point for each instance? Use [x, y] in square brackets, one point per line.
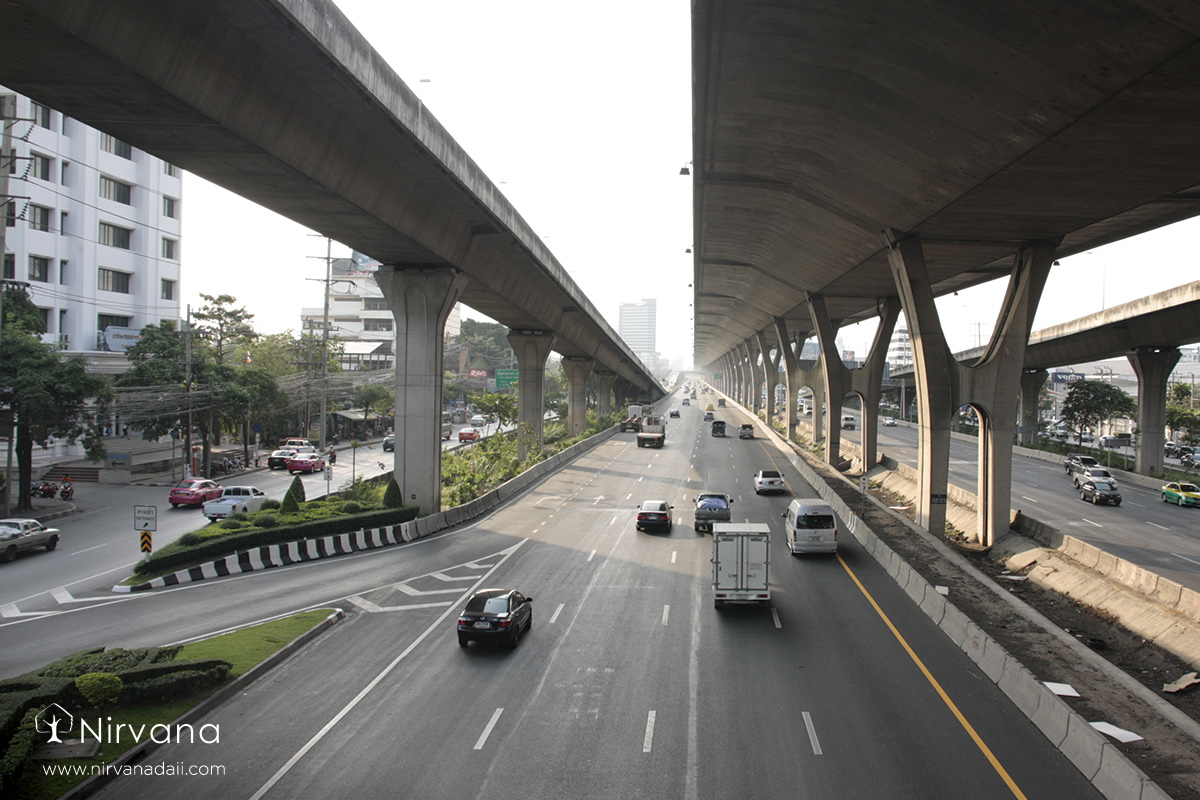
[937, 380]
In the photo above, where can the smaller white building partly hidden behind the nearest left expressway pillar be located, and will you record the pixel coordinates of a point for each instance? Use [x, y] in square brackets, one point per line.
[359, 316]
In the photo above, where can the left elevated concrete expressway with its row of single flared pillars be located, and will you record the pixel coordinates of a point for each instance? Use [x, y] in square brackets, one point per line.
[287, 105]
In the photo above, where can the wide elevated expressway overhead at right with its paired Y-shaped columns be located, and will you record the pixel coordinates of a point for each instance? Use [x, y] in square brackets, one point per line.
[856, 159]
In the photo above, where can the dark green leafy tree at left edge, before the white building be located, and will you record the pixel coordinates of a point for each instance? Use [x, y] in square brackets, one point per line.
[51, 396]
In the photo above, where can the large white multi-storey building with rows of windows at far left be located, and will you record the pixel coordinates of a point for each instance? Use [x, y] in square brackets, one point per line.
[93, 226]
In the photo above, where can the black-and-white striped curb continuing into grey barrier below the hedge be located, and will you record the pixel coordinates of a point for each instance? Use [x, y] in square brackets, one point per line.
[311, 550]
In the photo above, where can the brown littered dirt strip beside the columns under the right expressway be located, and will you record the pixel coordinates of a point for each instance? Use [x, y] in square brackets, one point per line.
[1168, 755]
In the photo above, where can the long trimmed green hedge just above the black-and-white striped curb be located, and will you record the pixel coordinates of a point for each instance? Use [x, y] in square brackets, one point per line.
[179, 556]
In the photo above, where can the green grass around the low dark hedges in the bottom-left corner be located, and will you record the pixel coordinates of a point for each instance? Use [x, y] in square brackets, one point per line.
[244, 649]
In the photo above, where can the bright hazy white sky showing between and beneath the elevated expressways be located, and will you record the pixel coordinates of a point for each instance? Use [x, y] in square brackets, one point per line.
[583, 116]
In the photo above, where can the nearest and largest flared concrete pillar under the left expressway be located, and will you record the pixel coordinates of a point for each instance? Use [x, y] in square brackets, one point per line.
[421, 302]
